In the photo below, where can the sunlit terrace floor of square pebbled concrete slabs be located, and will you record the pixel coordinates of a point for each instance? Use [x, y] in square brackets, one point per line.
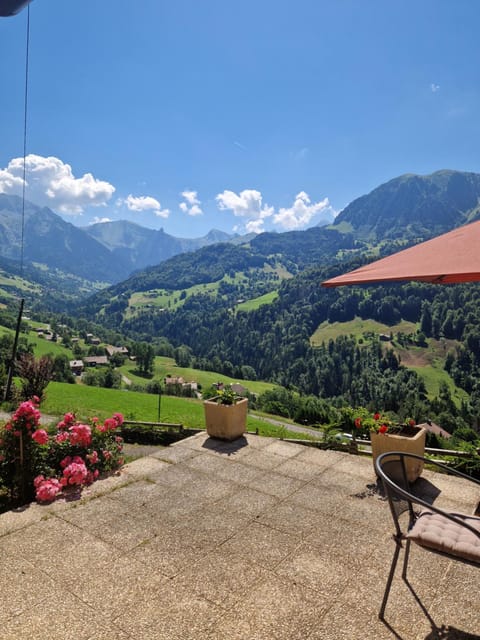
[258, 539]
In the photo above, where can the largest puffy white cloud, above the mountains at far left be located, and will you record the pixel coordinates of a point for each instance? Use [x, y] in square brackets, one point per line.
[50, 182]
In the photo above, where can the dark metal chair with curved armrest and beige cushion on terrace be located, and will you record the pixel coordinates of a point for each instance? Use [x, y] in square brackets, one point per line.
[451, 534]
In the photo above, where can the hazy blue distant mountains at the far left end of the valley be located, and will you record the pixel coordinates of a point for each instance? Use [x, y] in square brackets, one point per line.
[104, 252]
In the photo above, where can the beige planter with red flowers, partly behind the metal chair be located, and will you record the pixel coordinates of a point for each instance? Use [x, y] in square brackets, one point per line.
[387, 436]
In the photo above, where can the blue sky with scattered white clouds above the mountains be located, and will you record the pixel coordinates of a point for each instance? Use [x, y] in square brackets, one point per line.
[248, 116]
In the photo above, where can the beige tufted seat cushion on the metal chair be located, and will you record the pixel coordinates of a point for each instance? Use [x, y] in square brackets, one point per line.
[436, 532]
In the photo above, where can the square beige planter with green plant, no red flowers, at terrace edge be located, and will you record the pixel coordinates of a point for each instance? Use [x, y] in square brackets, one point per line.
[226, 414]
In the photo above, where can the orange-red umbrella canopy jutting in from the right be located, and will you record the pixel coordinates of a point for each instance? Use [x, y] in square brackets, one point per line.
[451, 257]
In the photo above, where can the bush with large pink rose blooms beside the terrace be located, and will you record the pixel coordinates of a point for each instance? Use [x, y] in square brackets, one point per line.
[42, 463]
